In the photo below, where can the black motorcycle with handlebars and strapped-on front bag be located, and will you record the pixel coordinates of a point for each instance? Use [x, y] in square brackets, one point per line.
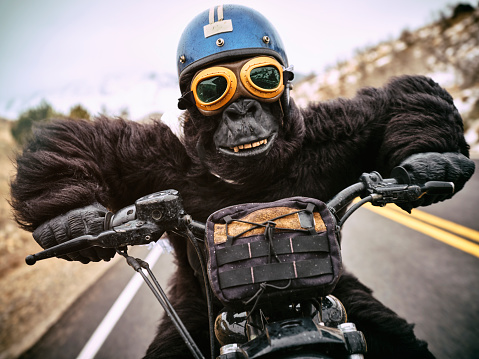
[282, 315]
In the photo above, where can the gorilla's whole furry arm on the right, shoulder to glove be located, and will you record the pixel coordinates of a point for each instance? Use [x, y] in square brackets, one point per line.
[381, 127]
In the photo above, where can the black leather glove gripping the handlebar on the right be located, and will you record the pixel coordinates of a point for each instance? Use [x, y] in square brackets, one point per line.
[432, 166]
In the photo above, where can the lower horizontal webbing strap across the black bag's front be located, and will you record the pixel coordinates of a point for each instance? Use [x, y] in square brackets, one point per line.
[274, 271]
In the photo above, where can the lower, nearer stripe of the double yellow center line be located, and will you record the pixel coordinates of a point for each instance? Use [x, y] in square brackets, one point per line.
[427, 229]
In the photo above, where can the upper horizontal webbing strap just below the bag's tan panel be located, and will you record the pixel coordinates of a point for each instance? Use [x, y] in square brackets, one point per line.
[300, 244]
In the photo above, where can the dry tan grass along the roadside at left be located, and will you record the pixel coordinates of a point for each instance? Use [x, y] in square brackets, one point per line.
[32, 298]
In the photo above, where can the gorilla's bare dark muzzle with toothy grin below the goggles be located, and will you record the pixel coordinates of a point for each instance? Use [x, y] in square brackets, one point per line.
[248, 129]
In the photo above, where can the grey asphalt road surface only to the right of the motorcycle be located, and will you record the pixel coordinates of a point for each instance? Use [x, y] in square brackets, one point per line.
[424, 280]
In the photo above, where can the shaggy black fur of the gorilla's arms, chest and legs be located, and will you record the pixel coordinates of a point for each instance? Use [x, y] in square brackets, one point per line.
[319, 151]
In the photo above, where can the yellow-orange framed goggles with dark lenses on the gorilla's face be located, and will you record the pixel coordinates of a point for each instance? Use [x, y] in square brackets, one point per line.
[213, 88]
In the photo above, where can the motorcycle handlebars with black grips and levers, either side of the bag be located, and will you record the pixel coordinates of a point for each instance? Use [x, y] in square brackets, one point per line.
[152, 215]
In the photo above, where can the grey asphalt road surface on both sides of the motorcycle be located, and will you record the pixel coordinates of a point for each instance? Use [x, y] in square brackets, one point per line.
[428, 282]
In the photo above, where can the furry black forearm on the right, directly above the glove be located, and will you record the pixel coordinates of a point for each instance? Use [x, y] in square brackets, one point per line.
[422, 118]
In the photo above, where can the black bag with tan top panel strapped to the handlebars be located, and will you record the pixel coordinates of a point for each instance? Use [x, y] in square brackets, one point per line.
[285, 250]
